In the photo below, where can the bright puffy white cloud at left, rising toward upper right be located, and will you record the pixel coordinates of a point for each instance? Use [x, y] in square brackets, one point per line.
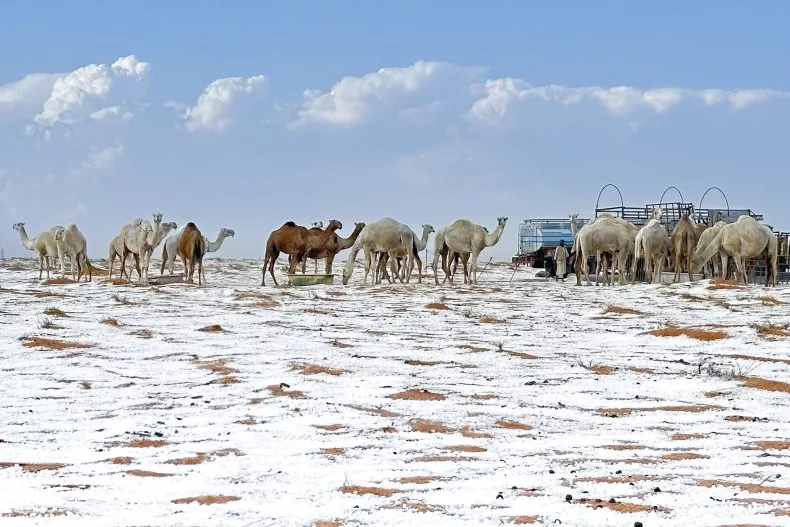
[92, 82]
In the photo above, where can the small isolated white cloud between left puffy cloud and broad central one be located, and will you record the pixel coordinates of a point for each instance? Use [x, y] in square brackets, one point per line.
[211, 112]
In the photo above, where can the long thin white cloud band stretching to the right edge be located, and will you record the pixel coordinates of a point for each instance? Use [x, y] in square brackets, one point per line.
[499, 95]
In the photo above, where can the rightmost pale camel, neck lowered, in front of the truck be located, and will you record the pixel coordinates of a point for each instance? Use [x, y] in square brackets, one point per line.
[741, 240]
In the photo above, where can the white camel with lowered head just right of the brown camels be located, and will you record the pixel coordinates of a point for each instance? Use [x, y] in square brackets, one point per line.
[385, 235]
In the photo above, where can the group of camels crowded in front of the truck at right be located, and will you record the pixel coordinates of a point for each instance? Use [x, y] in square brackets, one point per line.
[691, 245]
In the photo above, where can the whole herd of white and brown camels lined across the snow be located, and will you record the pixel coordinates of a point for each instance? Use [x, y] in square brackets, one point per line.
[612, 239]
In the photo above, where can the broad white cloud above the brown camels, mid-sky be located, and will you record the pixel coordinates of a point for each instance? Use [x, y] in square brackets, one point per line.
[350, 100]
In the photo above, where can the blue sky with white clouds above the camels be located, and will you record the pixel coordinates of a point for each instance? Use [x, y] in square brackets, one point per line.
[249, 114]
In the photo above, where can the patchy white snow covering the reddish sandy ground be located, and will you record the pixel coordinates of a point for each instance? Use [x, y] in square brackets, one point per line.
[523, 401]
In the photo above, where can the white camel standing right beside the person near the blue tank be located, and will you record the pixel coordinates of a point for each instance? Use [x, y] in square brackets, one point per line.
[605, 233]
